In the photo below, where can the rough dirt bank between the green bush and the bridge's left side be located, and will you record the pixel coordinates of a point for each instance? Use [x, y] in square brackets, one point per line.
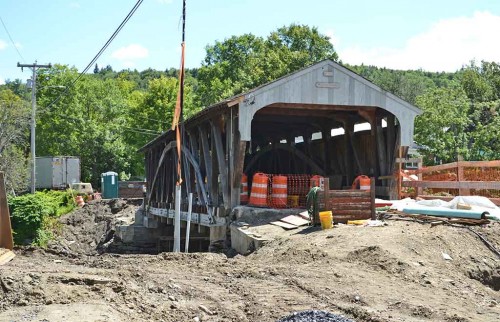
[90, 229]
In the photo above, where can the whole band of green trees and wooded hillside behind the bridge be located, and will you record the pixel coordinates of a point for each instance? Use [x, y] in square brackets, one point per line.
[105, 116]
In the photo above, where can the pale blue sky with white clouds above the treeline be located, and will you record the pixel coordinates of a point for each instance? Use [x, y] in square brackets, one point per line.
[435, 35]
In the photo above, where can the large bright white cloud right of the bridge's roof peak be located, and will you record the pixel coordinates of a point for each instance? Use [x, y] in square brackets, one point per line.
[445, 46]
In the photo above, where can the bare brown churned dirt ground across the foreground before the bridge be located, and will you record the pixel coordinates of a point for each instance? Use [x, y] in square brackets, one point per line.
[391, 273]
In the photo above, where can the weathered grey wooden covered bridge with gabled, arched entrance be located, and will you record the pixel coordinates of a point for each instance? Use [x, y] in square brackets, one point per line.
[322, 120]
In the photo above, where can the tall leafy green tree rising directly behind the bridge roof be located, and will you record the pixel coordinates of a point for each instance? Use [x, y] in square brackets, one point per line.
[241, 63]
